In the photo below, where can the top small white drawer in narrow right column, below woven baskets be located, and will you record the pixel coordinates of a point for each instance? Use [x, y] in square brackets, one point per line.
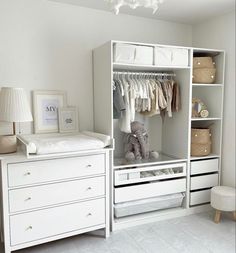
[204, 166]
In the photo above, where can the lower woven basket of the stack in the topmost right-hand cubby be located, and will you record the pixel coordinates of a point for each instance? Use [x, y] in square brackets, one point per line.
[205, 75]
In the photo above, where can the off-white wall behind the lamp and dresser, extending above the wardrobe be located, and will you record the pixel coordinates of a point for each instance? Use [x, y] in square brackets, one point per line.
[48, 45]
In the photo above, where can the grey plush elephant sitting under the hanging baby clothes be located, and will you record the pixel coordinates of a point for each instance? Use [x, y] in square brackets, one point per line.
[136, 143]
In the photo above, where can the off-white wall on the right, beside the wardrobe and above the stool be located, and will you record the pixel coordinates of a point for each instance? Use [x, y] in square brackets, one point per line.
[220, 33]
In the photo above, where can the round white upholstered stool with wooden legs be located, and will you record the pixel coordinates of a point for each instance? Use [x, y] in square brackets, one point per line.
[223, 199]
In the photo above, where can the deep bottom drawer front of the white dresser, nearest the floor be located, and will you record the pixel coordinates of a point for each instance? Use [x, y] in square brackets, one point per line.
[58, 220]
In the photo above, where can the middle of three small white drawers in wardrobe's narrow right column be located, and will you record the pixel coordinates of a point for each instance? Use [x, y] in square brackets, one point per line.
[205, 181]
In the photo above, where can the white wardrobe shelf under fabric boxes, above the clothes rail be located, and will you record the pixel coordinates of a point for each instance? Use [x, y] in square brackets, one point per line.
[125, 66]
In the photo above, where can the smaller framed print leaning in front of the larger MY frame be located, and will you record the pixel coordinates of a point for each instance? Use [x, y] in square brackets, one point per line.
[68, 119]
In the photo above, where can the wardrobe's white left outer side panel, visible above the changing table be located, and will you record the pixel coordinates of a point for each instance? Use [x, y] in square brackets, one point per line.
[102, 60]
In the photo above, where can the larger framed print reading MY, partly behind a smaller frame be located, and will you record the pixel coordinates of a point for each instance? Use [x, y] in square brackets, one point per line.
[46, 104]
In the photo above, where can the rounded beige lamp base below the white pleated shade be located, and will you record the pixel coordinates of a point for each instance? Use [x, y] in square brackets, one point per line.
[8, 144]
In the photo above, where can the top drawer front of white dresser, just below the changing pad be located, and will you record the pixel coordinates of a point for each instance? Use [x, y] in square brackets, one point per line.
[57, 169]
